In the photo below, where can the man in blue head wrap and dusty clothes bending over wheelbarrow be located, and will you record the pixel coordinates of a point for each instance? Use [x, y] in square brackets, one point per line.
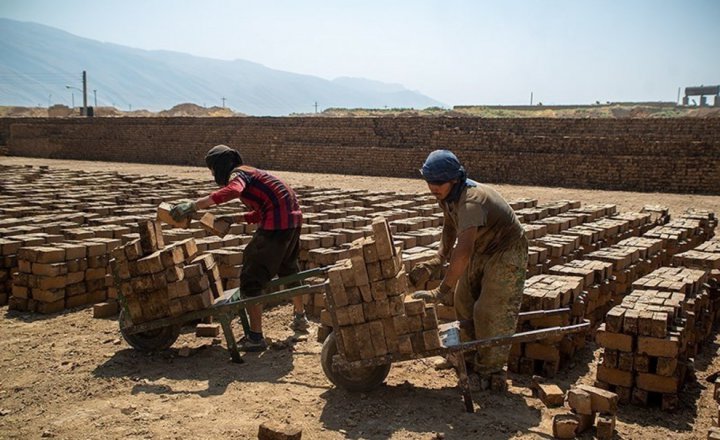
[487, 252]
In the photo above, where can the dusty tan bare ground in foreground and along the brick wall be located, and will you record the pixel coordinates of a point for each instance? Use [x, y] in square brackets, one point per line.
[71, 376]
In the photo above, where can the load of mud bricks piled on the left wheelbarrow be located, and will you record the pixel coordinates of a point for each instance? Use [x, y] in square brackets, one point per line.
[156, 281]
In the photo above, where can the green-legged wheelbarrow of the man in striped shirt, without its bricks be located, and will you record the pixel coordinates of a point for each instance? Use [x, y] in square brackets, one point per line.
[160, 334]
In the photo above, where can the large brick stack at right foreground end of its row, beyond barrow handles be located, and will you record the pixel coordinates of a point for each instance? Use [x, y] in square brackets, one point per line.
[648, 339]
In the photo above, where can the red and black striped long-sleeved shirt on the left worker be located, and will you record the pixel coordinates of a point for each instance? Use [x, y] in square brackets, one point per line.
[272, 203]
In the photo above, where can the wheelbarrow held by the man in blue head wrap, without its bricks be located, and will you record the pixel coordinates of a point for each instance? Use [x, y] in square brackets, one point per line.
[367, 374]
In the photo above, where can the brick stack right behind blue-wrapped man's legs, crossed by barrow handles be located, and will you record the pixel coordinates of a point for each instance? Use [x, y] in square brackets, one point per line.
[548, 292]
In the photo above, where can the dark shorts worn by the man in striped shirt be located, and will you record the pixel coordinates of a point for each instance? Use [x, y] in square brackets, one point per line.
[269, 253]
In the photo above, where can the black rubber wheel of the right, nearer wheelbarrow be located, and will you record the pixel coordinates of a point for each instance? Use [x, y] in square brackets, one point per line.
[360, 379]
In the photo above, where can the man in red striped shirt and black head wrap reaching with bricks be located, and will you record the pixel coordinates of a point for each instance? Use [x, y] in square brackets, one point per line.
[275, 245]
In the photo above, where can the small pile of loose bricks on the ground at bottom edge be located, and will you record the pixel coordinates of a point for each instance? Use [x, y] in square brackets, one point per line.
[589, 406]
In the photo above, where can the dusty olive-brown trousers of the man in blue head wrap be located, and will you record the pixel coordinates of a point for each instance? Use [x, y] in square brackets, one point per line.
[490, 293]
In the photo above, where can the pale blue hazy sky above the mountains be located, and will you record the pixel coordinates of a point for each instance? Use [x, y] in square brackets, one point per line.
[459, 52]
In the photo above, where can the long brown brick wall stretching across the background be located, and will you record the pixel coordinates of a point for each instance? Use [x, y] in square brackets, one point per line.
[671, 155]
